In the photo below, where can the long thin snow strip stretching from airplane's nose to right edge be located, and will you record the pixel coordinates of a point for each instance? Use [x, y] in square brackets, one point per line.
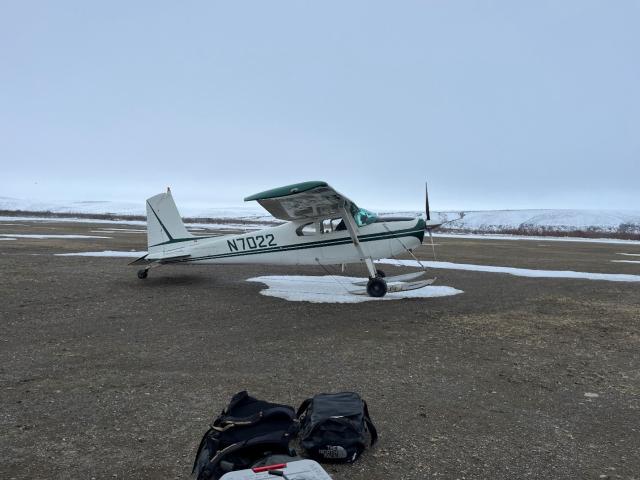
[519, 272]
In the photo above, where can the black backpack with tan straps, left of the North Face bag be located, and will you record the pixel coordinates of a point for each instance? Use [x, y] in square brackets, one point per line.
[246, 431]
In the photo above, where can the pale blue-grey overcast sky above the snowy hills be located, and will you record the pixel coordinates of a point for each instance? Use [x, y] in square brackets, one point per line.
[499, 104]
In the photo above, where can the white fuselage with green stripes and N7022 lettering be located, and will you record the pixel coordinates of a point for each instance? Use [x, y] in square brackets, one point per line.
[288, 244]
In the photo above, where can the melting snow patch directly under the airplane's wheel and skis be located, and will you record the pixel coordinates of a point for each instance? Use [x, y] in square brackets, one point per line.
[332, 289]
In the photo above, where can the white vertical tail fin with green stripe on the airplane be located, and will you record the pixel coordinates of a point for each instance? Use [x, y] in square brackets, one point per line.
[164, 224]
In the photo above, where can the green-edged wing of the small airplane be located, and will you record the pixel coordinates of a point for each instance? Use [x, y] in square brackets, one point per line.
[302, 200]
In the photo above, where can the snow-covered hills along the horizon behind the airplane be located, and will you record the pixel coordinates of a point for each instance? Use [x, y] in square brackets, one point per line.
[485, 221]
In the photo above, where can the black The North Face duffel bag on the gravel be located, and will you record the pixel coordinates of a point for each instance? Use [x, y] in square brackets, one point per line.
[333, 427]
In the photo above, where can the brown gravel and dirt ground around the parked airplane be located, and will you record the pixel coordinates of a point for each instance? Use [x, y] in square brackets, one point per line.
[107, 376]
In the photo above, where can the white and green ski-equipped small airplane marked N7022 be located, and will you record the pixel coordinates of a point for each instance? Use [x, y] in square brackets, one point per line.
[323, 227]
